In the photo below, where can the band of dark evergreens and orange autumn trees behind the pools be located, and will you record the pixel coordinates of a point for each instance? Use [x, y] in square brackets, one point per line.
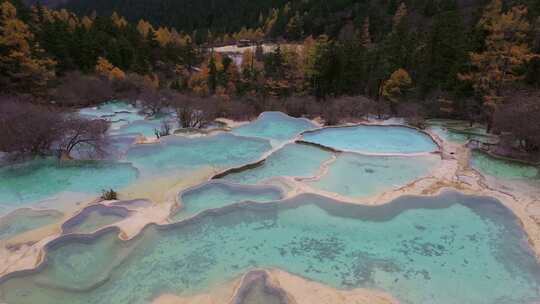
[475, 60]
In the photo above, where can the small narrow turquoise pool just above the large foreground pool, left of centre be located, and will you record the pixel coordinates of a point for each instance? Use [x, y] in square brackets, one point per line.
[216, 194]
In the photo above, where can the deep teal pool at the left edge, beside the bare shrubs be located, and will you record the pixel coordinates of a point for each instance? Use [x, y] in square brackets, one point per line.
[31, 182]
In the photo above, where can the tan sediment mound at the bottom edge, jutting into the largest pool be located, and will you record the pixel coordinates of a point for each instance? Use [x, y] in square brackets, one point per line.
[296, 290]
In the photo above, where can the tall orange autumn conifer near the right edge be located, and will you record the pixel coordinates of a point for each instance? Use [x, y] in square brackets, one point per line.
[506, 50]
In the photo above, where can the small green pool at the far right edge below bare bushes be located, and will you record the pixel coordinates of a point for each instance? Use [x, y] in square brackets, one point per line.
[504, 169]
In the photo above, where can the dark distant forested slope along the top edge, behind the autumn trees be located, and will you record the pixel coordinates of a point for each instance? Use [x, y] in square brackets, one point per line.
[288, 19]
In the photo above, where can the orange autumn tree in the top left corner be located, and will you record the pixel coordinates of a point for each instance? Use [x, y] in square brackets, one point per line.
[23, 65]
